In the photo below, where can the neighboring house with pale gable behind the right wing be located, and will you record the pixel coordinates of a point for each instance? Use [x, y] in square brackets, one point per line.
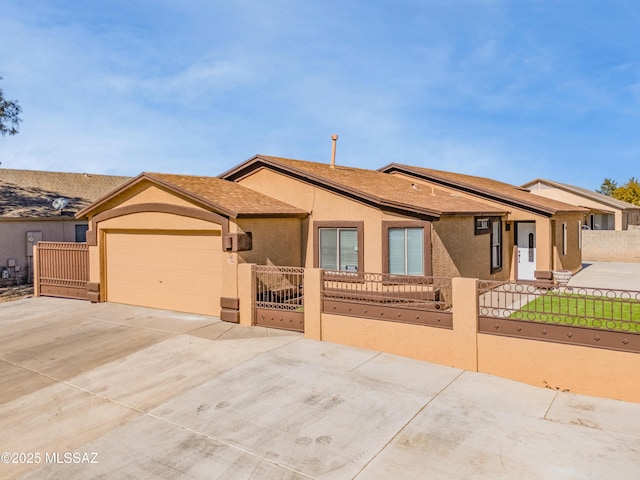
[604, 212]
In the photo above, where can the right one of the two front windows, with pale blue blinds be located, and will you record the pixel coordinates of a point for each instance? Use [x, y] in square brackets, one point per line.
[406, 251]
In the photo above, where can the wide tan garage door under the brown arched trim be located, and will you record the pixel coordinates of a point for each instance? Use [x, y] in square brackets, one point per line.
[180, 272]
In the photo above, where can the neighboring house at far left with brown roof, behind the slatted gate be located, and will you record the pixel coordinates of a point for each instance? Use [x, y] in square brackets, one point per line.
[35, 206]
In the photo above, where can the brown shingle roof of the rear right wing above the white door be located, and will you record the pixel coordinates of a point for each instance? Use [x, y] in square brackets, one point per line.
[486, 188]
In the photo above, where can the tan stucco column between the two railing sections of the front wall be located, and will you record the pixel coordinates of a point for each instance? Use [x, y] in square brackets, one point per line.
[465, 323]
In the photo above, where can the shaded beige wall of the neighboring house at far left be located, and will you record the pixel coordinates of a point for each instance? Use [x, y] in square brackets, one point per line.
[13, 238]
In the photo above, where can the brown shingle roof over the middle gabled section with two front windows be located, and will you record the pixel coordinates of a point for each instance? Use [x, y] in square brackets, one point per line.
[370, 186]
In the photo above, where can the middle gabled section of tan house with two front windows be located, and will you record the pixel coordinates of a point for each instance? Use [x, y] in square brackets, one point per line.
[366, 221]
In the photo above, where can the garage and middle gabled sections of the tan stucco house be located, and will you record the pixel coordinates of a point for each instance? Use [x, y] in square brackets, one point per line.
[174, 241]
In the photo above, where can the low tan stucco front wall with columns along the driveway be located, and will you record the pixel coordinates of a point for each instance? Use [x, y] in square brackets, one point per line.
[582, 370]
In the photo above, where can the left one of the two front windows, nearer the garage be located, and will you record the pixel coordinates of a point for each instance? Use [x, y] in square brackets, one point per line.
[338, 249]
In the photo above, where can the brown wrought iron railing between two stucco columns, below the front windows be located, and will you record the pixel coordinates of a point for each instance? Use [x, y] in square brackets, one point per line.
[429, 293]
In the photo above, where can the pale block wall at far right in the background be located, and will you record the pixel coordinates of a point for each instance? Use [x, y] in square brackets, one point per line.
[611, 245]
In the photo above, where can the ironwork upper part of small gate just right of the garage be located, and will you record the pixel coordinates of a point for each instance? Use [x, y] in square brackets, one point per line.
[279, 288]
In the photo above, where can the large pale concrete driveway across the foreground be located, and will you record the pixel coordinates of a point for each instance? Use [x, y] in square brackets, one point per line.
[110, 391]
